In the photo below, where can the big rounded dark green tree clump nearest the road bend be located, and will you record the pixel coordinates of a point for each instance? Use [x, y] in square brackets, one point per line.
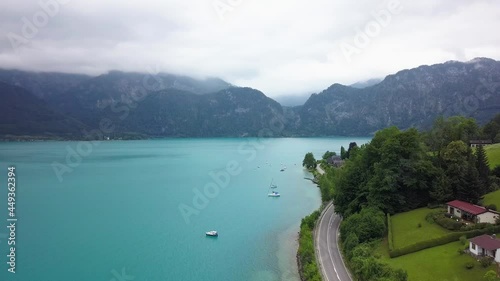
[393, 173]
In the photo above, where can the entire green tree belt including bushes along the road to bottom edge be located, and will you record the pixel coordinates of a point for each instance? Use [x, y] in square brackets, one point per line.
[400, 171]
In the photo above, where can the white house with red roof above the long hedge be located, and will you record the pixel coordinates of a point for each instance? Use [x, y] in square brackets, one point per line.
[471, 212]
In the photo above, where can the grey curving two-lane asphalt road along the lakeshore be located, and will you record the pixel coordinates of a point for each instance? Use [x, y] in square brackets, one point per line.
[326, 235]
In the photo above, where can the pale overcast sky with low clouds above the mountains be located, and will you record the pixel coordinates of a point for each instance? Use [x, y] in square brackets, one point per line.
[281, 47]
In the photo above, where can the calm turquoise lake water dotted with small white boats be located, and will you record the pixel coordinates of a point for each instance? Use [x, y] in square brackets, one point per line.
[139, 210]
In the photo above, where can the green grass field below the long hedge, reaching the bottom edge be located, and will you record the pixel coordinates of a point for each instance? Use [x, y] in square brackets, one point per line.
[441, 263]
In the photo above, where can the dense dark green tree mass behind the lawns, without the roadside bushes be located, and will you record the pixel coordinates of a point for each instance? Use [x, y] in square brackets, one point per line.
[404, 170]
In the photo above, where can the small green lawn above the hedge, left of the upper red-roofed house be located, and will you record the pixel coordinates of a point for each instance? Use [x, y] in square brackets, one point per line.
[405, 230]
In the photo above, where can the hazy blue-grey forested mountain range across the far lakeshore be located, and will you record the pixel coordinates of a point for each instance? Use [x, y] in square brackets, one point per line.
[133, 105]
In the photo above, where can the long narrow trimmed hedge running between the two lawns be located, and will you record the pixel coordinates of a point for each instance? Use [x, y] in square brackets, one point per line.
[445, 239]
